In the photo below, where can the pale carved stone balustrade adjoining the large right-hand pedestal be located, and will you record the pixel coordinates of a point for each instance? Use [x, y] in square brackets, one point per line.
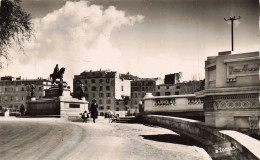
[172, 103]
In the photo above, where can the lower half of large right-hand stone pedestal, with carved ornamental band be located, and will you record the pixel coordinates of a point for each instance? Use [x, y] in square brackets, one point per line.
[232, 108]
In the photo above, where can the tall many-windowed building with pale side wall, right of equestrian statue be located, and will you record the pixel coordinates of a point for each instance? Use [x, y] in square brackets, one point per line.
[107, 87]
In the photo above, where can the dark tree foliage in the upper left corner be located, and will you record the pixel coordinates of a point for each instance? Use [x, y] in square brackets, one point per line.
[15, 27]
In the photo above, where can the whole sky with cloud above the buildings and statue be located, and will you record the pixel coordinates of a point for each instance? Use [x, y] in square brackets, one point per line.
[148, 38]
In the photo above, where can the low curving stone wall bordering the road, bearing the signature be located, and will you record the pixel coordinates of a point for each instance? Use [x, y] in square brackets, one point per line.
[217, 144]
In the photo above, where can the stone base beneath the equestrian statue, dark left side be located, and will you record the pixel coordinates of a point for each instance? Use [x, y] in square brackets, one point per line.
[54, 105]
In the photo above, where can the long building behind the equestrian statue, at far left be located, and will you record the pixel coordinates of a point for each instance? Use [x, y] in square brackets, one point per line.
[15, 92]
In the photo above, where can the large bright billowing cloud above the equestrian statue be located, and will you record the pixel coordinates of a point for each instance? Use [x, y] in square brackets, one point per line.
[77, 36]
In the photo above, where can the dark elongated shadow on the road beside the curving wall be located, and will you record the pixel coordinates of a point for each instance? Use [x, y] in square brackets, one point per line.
[171, 138]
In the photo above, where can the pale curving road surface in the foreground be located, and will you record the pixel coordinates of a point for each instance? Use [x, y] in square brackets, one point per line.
[52, 139]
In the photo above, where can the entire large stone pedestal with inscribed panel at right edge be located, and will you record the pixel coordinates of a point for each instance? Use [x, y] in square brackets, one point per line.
[231, 95]
